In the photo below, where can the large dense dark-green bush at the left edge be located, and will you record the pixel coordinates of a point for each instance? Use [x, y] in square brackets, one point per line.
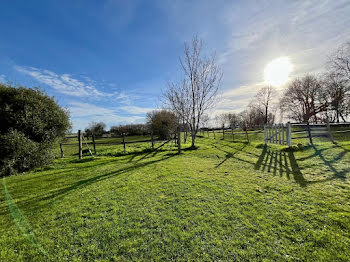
[31, 123]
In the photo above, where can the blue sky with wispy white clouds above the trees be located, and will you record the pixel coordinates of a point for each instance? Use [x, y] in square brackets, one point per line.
[110, 60]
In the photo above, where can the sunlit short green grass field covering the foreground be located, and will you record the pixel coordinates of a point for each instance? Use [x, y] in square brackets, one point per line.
[224, 201]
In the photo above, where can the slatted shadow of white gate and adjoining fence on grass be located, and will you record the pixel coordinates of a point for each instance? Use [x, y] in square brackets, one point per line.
[284, 161]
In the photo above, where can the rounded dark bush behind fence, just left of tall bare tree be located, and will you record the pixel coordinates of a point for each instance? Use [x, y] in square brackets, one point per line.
[162, 123]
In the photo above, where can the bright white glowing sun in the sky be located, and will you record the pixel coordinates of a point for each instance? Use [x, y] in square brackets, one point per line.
[277, 72]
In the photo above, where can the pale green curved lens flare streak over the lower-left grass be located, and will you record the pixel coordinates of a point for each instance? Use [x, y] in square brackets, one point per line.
[21, 221]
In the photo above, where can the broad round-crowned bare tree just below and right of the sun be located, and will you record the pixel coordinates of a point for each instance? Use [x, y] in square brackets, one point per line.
[303, 99]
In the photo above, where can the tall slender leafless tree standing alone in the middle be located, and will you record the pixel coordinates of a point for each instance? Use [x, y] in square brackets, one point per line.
[192, 97]
